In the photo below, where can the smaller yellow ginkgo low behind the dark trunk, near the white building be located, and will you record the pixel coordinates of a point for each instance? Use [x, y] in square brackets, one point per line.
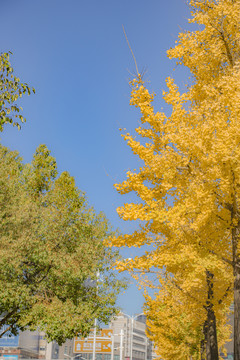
[174, 325]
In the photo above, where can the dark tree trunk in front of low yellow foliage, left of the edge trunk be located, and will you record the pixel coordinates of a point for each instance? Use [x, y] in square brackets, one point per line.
[210, 328]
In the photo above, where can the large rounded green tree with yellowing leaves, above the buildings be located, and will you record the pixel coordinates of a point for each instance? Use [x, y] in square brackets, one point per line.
[51, 251]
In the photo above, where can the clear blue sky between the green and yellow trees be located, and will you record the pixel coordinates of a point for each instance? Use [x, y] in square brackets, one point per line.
[75, 55]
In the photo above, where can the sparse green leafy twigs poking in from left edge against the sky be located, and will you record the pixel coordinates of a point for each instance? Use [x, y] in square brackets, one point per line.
[10, 90]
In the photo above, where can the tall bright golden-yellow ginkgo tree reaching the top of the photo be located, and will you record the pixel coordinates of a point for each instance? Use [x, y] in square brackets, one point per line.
[189, 184]
